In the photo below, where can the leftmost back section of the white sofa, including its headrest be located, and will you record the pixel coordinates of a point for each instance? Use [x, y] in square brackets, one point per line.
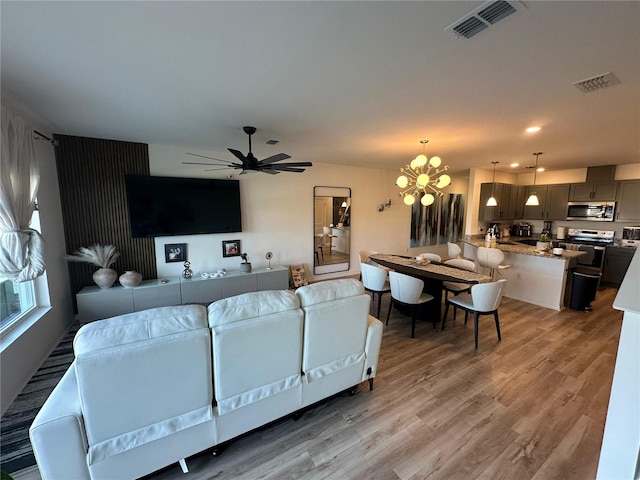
[142, 377]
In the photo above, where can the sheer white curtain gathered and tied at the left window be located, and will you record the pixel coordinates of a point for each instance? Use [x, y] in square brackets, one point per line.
[21, 247]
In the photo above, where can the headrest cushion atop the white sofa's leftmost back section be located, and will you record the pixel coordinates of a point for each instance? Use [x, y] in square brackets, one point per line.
[139, 326]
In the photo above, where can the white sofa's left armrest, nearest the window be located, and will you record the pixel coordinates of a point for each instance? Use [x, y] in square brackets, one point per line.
[57, 433]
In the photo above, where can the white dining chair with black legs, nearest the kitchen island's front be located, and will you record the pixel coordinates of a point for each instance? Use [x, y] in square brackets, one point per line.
[484, 299]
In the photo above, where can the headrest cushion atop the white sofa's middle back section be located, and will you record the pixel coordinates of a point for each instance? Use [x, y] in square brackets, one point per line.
[251, 305]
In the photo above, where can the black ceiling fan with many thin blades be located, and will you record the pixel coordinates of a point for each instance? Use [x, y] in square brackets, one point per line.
[250, 164]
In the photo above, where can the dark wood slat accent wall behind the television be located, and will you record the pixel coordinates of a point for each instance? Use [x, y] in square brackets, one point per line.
[94, 207]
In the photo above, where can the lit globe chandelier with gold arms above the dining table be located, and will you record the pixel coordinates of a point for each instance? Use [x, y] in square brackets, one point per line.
[423, 177]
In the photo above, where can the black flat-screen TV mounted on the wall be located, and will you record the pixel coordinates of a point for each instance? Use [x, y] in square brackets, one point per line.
[164, 206]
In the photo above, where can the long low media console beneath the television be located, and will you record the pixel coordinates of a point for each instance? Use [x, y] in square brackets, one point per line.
[95, 303]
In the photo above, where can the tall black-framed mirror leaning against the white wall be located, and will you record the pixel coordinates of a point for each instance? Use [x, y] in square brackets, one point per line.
[343, 232]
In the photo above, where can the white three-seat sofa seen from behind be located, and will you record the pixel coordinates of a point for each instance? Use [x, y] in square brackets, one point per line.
[150, 388]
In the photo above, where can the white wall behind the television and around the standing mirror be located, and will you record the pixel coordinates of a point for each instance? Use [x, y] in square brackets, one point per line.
[278, 215]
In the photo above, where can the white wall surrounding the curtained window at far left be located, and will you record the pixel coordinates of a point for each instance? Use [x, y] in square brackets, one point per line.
[24, 350]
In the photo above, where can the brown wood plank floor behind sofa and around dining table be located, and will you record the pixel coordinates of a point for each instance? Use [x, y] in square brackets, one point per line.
[530, 407]
